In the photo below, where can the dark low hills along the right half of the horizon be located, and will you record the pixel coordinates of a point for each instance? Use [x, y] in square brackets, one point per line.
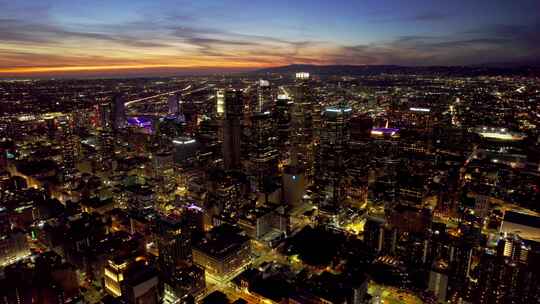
[360, 70]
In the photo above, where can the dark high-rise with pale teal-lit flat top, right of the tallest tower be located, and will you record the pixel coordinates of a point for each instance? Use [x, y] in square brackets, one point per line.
[332, 155]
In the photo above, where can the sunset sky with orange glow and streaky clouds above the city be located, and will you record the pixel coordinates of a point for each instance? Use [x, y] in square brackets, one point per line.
[56, 37]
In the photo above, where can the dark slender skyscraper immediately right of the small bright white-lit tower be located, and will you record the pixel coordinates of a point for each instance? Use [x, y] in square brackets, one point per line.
[234, 104]
